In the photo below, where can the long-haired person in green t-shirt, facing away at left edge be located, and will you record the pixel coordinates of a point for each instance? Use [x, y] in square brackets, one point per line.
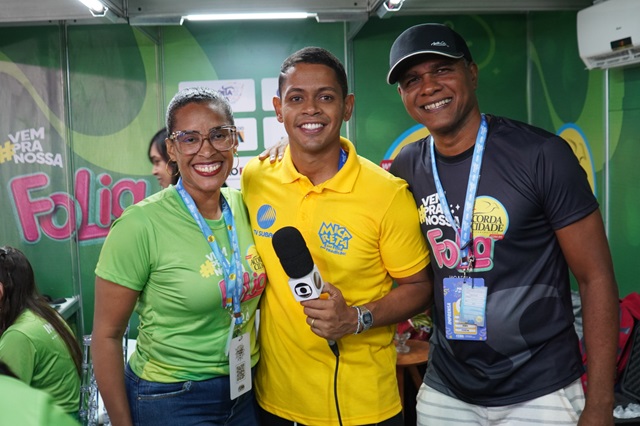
[35, 342]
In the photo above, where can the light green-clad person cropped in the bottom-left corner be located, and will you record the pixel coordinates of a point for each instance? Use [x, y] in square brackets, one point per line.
[25, 406]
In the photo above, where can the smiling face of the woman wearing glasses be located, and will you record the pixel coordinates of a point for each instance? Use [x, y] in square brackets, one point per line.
[204, 172]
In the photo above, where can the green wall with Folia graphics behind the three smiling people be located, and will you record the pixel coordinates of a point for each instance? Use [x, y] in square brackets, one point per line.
[79, 103]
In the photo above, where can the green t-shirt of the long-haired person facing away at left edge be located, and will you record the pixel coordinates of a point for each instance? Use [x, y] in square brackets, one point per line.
[37, 354]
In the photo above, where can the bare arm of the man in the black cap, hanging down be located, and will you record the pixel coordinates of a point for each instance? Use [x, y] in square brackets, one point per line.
[584, 245]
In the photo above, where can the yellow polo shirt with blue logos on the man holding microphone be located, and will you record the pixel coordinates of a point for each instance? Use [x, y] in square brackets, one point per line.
[362, 229]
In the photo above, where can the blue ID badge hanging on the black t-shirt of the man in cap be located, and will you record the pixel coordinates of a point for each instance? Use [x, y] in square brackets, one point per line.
[467, 327]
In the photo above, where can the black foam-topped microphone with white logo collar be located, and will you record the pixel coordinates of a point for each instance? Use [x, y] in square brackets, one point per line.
[305, 280]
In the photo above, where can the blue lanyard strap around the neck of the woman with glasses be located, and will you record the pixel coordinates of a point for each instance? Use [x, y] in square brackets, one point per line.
[232, 270]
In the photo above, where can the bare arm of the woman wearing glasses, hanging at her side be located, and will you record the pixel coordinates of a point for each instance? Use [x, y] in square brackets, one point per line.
[113, 307]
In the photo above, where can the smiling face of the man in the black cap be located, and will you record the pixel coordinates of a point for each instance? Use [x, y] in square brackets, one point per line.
[439, 93]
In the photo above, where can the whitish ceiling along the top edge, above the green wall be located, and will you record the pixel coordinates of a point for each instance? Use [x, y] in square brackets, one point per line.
[148, 12]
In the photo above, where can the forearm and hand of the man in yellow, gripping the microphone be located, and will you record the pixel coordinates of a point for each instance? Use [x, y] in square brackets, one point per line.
[333, 318]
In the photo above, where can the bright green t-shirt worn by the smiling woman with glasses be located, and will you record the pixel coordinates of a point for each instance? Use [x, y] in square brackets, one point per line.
[157, 248]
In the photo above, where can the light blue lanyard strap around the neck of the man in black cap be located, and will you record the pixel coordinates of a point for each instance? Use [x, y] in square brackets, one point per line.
[464, 231]
